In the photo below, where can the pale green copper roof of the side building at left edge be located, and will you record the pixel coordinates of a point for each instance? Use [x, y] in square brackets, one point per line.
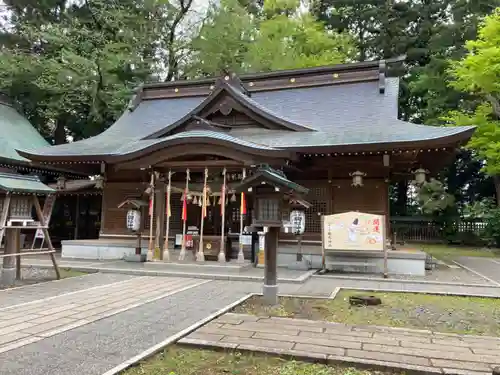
[17, 134]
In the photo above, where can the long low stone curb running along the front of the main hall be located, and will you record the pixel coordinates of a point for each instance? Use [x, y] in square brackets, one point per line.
[300, 280]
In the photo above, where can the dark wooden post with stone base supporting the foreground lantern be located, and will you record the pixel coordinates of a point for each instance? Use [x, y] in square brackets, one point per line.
[270, 289]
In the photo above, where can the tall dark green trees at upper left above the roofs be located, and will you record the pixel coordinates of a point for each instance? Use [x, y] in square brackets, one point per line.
[72, 66]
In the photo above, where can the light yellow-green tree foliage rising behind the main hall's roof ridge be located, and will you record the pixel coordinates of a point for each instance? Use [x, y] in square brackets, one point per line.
[279, 37]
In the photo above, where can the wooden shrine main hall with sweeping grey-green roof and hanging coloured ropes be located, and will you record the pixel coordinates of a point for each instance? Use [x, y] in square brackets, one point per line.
[333, 130]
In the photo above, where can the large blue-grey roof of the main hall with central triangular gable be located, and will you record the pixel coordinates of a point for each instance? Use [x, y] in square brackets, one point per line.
[352, 106]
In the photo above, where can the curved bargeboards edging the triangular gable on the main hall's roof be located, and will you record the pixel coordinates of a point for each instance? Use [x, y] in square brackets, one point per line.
[242, 100]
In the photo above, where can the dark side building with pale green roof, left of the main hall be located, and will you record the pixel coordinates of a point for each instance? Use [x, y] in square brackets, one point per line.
[78, 204]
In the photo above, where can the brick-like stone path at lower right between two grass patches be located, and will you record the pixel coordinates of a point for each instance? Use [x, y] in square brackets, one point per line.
[417, 350]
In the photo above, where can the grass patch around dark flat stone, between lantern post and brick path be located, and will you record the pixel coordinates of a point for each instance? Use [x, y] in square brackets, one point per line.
[463, 315]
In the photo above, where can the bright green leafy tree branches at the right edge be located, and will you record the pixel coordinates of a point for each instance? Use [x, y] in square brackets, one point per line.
[478, 74]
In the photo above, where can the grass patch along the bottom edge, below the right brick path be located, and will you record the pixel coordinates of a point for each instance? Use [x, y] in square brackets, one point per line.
[177, 360]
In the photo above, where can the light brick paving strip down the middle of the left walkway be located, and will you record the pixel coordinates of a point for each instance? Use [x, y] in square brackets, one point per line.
[28, 322]
